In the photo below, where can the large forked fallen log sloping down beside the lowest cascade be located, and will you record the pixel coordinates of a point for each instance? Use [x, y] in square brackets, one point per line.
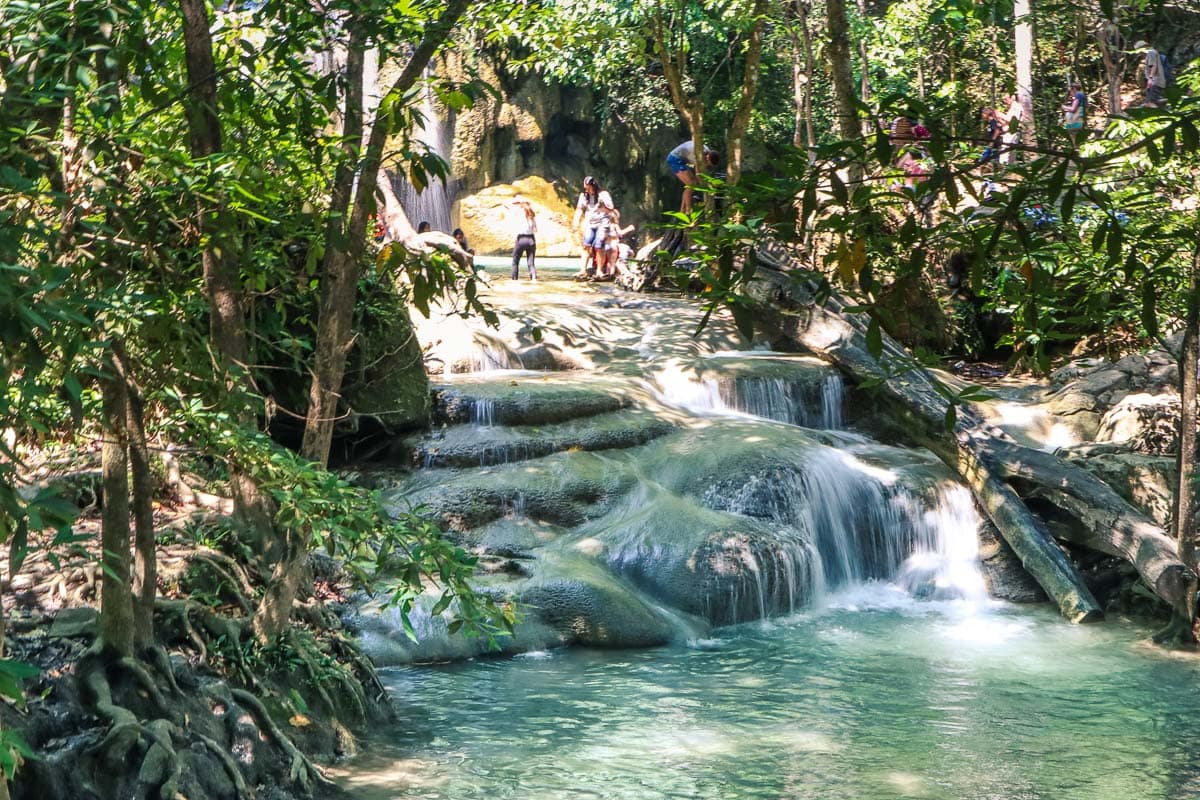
[987, 459]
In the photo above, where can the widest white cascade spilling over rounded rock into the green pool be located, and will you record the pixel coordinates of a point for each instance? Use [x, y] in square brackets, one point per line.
[842, 524]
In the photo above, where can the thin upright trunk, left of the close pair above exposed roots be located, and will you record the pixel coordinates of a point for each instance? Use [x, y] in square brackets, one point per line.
[116, 599]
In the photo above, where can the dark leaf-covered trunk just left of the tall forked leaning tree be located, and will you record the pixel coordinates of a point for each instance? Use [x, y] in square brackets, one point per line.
[227, 314]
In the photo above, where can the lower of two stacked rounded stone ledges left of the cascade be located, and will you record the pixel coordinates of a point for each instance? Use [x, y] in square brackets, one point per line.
[485, 447]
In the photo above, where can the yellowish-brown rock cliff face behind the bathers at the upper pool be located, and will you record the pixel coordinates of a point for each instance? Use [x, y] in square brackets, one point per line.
[541, 140]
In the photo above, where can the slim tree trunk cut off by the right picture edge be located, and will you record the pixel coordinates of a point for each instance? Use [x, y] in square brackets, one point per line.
[1184, 522]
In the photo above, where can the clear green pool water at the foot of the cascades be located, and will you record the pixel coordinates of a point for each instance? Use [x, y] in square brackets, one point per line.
[879, 699]
